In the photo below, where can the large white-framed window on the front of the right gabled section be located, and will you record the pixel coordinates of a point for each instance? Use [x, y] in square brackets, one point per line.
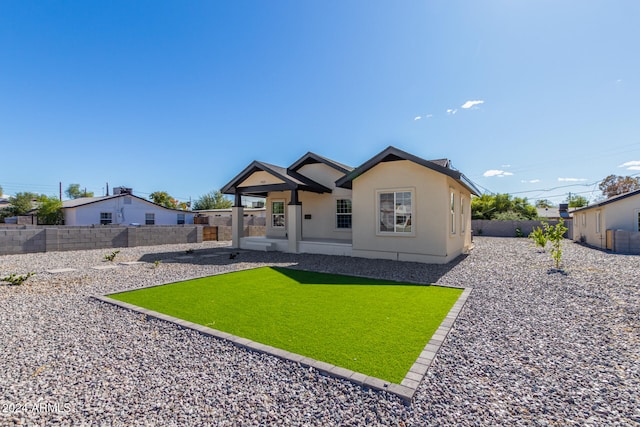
[395, 212]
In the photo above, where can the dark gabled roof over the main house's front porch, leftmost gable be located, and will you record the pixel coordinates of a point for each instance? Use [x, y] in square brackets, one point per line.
[292, 180]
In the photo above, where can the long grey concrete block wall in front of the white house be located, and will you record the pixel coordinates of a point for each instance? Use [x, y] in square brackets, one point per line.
[29, 239]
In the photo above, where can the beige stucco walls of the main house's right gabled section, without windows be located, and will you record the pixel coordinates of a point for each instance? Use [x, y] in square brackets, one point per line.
[431, 240]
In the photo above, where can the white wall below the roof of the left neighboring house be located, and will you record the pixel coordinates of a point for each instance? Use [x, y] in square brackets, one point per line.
[122, 213]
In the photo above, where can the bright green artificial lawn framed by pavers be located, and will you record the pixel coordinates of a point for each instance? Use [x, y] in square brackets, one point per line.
[375, 327]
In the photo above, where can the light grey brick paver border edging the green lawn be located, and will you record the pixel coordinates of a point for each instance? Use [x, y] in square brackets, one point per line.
[405, 390]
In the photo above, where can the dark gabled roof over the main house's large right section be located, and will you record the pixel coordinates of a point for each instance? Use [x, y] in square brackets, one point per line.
[391, 154]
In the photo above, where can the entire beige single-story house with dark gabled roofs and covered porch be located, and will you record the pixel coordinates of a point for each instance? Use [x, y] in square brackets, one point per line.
[394, 206]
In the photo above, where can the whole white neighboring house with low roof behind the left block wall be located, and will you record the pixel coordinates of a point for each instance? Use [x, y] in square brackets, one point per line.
[124, 209]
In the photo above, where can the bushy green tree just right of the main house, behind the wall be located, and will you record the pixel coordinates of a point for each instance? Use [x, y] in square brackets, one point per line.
[502, 207]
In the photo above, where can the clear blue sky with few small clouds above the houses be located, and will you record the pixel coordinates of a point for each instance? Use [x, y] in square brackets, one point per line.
[522, 96]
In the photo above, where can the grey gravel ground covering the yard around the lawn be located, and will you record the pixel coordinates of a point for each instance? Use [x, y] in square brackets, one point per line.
[532, 346]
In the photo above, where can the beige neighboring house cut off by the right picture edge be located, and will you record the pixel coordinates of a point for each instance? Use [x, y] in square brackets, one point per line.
[622, 212]
